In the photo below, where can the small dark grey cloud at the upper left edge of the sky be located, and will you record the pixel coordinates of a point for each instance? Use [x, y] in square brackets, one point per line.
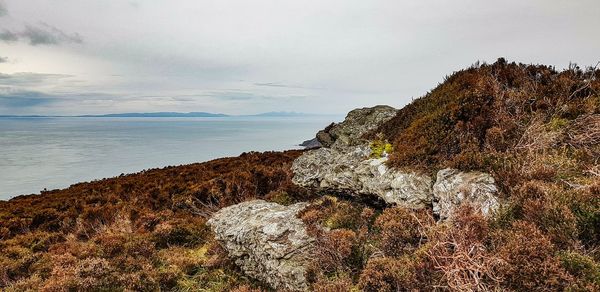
[43, 34]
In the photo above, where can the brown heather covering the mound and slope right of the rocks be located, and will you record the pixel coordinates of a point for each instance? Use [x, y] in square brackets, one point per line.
[537, 131]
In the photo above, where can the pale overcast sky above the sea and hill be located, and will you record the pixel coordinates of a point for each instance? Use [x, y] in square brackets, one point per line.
[71, 57]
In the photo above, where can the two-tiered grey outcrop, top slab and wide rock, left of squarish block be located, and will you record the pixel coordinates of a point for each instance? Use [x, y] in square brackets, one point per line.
[345, 166]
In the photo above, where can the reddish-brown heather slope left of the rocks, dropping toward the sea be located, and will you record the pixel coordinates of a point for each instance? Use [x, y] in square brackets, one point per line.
[142, 231]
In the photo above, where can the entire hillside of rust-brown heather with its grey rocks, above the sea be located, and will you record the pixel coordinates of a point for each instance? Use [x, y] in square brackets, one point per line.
[529, 130]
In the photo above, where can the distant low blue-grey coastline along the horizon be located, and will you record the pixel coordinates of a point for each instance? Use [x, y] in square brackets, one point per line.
[168, 115]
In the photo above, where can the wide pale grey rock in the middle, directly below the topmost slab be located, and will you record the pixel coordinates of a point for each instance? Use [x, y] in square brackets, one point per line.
[350, 170]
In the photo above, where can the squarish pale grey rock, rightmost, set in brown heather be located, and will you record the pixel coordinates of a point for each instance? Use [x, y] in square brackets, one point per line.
[453, 188]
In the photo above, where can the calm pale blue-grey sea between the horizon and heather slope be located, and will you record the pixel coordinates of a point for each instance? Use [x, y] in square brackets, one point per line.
[38, 153]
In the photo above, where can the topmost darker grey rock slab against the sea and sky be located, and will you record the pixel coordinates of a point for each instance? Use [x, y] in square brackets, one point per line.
[357, 123]
